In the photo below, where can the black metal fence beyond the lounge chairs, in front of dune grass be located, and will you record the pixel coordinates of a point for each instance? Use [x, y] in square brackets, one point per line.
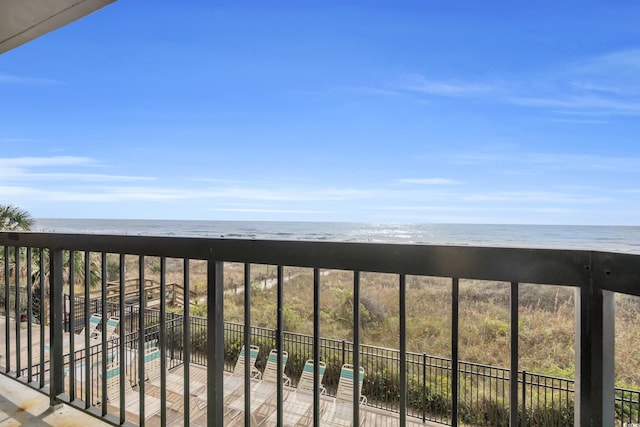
[484, 390]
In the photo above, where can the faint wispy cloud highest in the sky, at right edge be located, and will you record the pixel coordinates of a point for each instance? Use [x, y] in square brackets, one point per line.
[604, 85]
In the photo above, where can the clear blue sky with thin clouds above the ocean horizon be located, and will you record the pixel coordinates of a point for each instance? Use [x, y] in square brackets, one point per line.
[375, 111]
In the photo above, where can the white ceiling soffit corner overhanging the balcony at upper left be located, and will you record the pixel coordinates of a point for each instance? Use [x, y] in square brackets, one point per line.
[24, 20]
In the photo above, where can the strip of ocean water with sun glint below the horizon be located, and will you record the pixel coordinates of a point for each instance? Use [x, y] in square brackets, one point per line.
[623, 239]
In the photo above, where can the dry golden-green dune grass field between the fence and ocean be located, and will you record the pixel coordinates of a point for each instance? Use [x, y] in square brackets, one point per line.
[545, 327]
